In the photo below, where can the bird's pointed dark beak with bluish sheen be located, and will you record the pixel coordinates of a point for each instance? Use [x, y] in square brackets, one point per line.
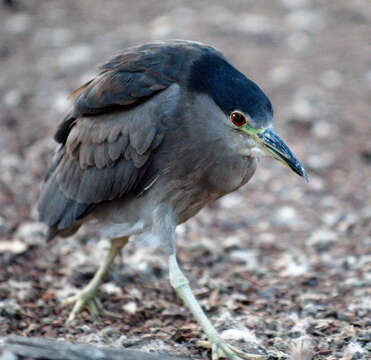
[280, 151]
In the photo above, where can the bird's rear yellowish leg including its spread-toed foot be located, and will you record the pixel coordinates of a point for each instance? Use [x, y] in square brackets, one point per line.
[87, 297]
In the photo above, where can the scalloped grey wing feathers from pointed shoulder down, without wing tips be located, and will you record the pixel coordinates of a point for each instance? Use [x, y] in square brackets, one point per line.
[113, 150]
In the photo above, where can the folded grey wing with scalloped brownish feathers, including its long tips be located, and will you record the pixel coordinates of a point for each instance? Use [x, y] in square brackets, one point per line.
[102, 159]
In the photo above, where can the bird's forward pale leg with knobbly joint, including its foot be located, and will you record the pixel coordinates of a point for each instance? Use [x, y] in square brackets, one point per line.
[218, 346]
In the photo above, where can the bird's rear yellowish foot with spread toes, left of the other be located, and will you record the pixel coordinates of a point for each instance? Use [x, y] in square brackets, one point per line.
[86, 300]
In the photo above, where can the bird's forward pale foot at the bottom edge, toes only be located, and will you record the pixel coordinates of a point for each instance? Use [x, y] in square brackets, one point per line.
[221, 349]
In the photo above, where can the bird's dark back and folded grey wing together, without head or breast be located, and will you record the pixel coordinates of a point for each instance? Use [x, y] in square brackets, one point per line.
[113, 131]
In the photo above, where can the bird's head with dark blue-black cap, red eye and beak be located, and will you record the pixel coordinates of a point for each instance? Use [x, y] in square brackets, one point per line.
[247, 108]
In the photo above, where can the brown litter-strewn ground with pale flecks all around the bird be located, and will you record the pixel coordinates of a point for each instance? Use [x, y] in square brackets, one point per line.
[282, 262]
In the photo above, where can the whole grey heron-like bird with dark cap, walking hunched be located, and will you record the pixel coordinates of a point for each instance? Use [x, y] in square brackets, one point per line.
[162, 130]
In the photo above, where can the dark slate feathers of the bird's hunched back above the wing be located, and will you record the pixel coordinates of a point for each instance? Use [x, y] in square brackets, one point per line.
[132, 77]
